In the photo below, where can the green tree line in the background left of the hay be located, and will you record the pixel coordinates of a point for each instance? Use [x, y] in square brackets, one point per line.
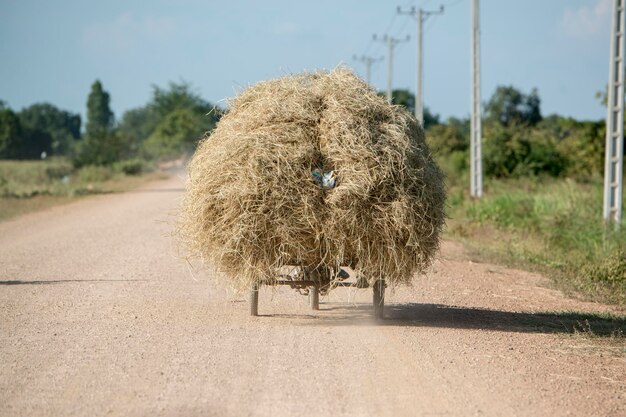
[169, 125]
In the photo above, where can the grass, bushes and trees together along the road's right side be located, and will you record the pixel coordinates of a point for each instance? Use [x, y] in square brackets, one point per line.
[542, 202]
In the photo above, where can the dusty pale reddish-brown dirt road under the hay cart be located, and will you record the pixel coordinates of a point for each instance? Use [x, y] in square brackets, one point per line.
[99, 317]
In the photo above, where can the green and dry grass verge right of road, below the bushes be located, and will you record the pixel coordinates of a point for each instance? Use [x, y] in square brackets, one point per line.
[552, 225]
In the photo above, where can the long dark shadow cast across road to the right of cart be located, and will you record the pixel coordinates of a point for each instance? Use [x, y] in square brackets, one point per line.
[438, 315]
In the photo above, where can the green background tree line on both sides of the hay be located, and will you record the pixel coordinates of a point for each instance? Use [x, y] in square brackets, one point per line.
[517, 139]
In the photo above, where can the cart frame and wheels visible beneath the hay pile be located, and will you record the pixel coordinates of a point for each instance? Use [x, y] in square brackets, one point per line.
[319, 281]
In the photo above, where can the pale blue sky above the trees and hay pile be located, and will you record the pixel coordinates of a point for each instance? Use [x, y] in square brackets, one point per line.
[53, 51]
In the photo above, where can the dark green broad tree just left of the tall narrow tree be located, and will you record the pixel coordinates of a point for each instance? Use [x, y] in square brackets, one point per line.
[63, 127]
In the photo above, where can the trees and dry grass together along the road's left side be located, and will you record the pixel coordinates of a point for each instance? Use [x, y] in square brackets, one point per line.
[46, 158]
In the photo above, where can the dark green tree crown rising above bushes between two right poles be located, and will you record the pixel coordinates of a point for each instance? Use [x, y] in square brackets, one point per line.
[509, 106]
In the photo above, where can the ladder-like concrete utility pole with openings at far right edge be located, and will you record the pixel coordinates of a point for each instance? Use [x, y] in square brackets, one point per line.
[614, 157]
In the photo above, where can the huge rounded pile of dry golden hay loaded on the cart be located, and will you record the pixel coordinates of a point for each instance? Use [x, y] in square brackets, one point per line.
[252, 204]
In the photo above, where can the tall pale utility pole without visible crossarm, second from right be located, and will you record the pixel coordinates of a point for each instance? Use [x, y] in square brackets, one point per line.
[476, 168]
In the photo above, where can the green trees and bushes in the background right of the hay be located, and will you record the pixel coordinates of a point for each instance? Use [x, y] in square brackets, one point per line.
[518, 141]
